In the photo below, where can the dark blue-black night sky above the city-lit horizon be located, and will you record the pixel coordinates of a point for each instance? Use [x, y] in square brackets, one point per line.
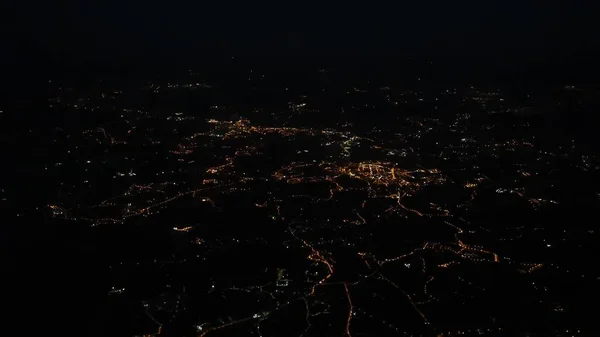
[474, 34]
